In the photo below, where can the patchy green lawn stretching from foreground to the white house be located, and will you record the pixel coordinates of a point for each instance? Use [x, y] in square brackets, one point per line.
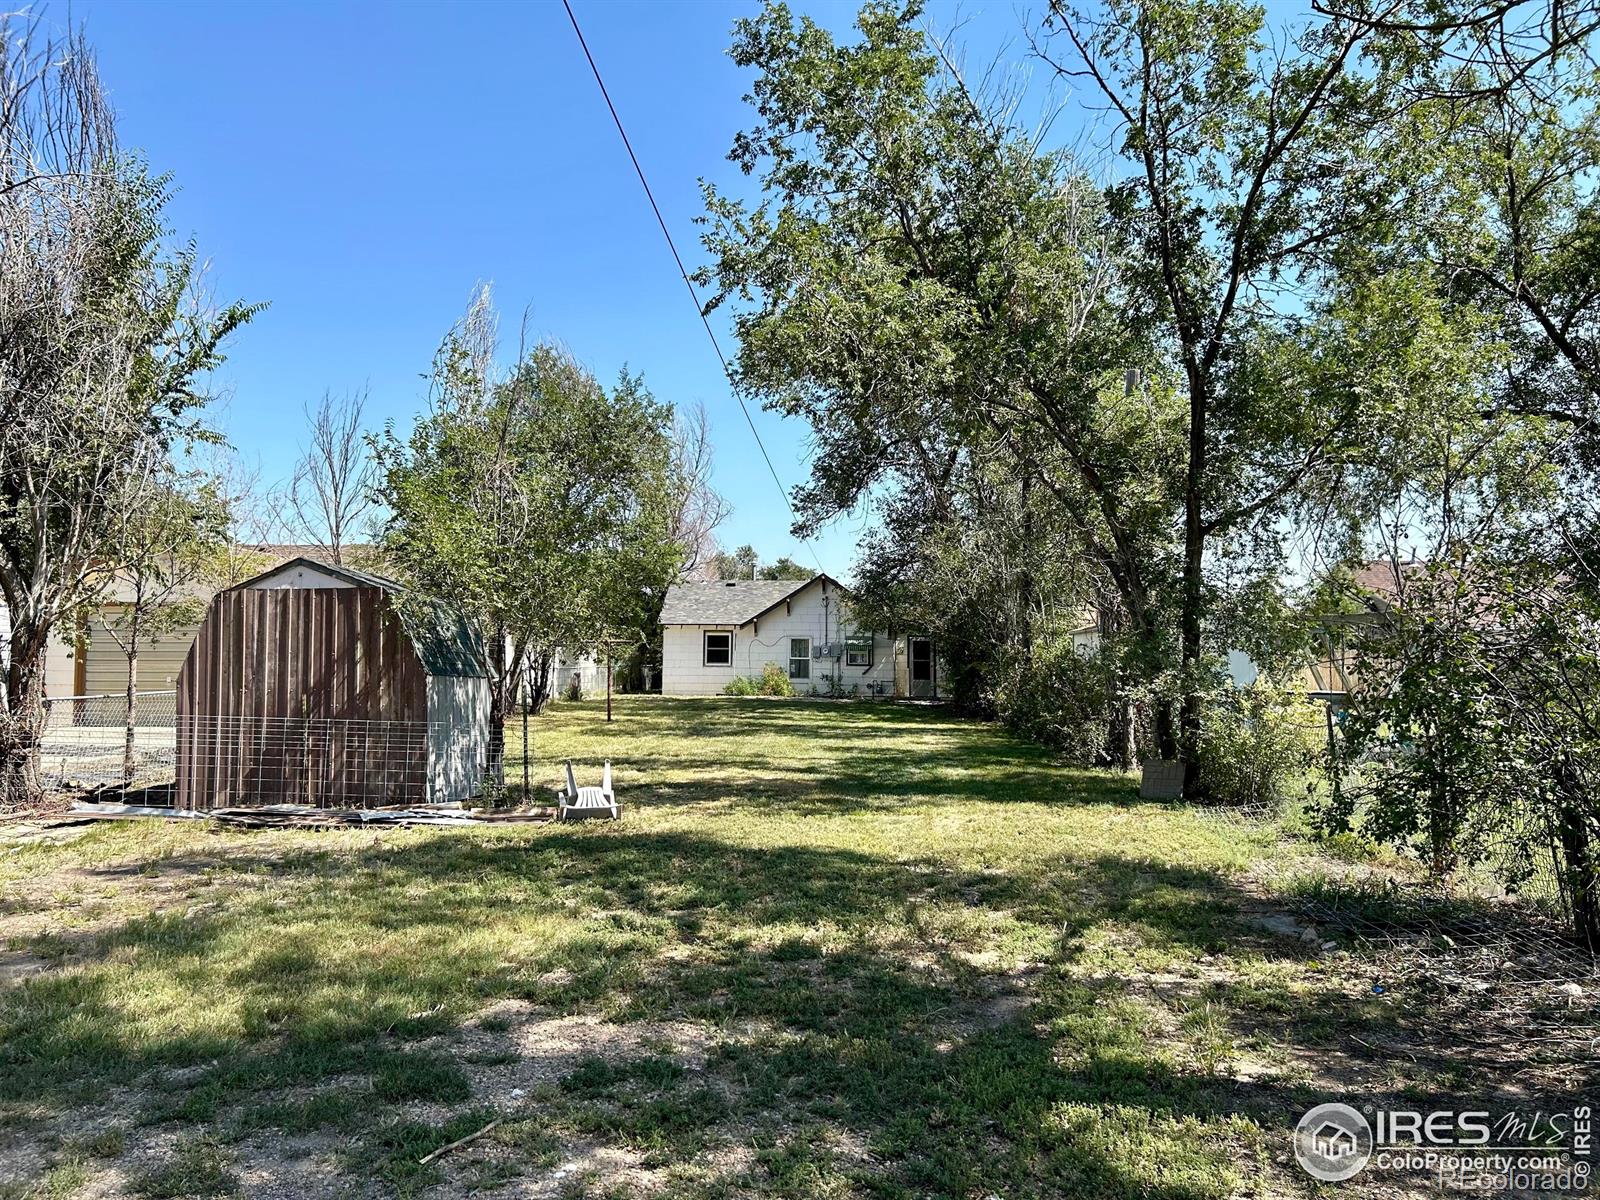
[831, 951]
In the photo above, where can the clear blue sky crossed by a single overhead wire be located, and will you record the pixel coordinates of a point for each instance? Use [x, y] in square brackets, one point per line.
[362, 167]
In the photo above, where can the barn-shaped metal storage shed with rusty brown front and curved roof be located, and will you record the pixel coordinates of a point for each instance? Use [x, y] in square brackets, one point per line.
[321, 686]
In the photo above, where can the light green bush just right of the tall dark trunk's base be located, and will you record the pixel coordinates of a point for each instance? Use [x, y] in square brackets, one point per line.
[1258, 746]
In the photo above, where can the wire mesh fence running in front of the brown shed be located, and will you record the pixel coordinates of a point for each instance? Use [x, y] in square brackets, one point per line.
[92, 751]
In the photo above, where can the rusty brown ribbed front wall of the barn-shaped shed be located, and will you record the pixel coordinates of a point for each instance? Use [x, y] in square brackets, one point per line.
[274, 695]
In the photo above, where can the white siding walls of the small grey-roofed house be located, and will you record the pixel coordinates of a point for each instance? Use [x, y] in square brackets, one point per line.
[810, 614]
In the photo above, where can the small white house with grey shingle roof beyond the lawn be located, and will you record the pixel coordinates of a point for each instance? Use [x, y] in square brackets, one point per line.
[729, 628]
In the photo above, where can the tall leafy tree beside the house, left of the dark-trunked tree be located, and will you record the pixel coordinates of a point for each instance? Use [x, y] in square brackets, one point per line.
[930, 290]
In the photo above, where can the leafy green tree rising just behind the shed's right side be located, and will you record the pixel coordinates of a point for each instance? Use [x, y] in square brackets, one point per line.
[538, 502]
